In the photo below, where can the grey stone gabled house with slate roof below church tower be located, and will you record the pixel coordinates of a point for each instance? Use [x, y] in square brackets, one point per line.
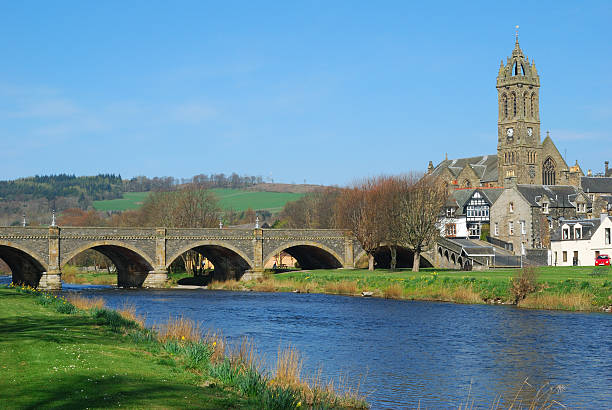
[524, 214]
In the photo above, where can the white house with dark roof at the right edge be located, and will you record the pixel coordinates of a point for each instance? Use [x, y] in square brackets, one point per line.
[579, 242]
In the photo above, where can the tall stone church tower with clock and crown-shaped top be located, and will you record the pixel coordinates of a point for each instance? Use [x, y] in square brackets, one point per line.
[518, 125]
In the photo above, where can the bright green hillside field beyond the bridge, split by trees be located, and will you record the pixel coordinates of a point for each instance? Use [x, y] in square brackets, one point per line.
[237, 199]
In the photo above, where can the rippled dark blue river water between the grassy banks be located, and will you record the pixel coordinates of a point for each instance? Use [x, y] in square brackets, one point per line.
[403, 354]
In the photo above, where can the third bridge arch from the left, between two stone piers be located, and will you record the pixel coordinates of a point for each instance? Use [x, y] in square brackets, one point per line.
[229, 261]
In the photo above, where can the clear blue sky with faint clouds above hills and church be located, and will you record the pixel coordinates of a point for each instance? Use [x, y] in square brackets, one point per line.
[322, 92]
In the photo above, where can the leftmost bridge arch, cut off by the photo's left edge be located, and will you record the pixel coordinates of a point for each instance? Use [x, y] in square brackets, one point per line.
[26, 265]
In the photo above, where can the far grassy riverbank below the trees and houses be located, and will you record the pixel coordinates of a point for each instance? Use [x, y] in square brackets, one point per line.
[567, 288]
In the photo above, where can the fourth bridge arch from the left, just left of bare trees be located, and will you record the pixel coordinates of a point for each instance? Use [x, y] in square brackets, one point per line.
[309, 254]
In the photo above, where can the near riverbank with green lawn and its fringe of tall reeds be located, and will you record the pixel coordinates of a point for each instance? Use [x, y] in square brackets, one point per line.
[76, 354]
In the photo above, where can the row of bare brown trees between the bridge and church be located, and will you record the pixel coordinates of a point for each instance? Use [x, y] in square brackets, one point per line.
[387, 211]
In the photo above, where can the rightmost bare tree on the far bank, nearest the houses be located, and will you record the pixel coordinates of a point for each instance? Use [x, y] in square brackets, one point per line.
[421, 207]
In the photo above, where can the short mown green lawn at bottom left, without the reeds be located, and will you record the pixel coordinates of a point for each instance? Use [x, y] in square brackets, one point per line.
[54, 360]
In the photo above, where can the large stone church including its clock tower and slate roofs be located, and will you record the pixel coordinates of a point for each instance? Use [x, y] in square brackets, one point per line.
[522, 157]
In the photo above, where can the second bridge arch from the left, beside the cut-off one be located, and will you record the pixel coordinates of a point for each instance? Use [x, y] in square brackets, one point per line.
[133, 265]
